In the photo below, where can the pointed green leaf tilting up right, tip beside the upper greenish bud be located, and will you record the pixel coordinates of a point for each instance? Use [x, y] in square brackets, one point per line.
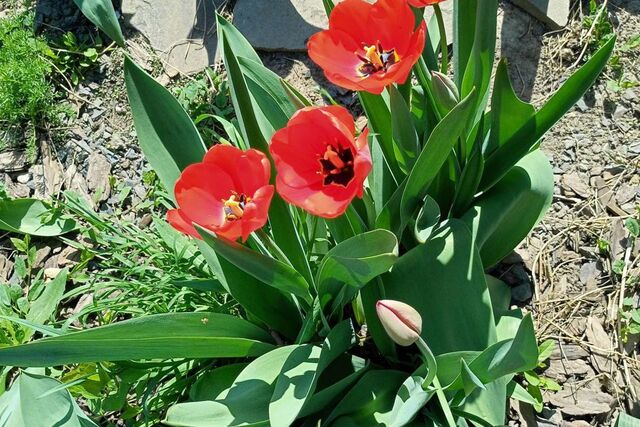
[434, 154]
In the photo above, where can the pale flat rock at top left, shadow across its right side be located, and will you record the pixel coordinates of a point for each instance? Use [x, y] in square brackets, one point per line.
[183, 32]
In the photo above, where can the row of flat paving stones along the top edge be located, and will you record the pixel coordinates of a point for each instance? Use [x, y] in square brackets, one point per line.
[183, 32]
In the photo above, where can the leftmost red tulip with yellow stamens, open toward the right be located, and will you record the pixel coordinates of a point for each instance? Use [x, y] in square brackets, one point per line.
[228, 193]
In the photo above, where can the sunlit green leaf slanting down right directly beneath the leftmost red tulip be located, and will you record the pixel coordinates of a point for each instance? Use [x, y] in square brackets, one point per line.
[266, 269]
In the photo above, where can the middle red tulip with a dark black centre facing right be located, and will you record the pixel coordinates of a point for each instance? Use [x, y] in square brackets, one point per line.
[321, 165]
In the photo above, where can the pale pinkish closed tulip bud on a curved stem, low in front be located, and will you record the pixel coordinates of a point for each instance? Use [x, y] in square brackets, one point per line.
[401, 321]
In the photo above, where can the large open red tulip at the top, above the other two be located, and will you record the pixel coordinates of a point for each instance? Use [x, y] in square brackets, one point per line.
[368, 46]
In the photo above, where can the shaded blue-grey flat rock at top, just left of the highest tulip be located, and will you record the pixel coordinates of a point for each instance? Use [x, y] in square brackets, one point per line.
[279, 25]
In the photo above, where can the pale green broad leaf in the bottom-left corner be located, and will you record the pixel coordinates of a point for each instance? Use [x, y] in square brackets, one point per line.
[39, 401]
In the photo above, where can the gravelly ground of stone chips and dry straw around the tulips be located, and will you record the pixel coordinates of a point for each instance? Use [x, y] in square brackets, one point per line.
[566, 272]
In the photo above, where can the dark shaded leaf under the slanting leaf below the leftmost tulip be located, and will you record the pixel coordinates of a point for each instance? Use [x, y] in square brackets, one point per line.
[256, 298]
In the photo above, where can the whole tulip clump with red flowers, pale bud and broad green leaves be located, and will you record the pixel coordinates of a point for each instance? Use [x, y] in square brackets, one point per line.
[357, 256]
